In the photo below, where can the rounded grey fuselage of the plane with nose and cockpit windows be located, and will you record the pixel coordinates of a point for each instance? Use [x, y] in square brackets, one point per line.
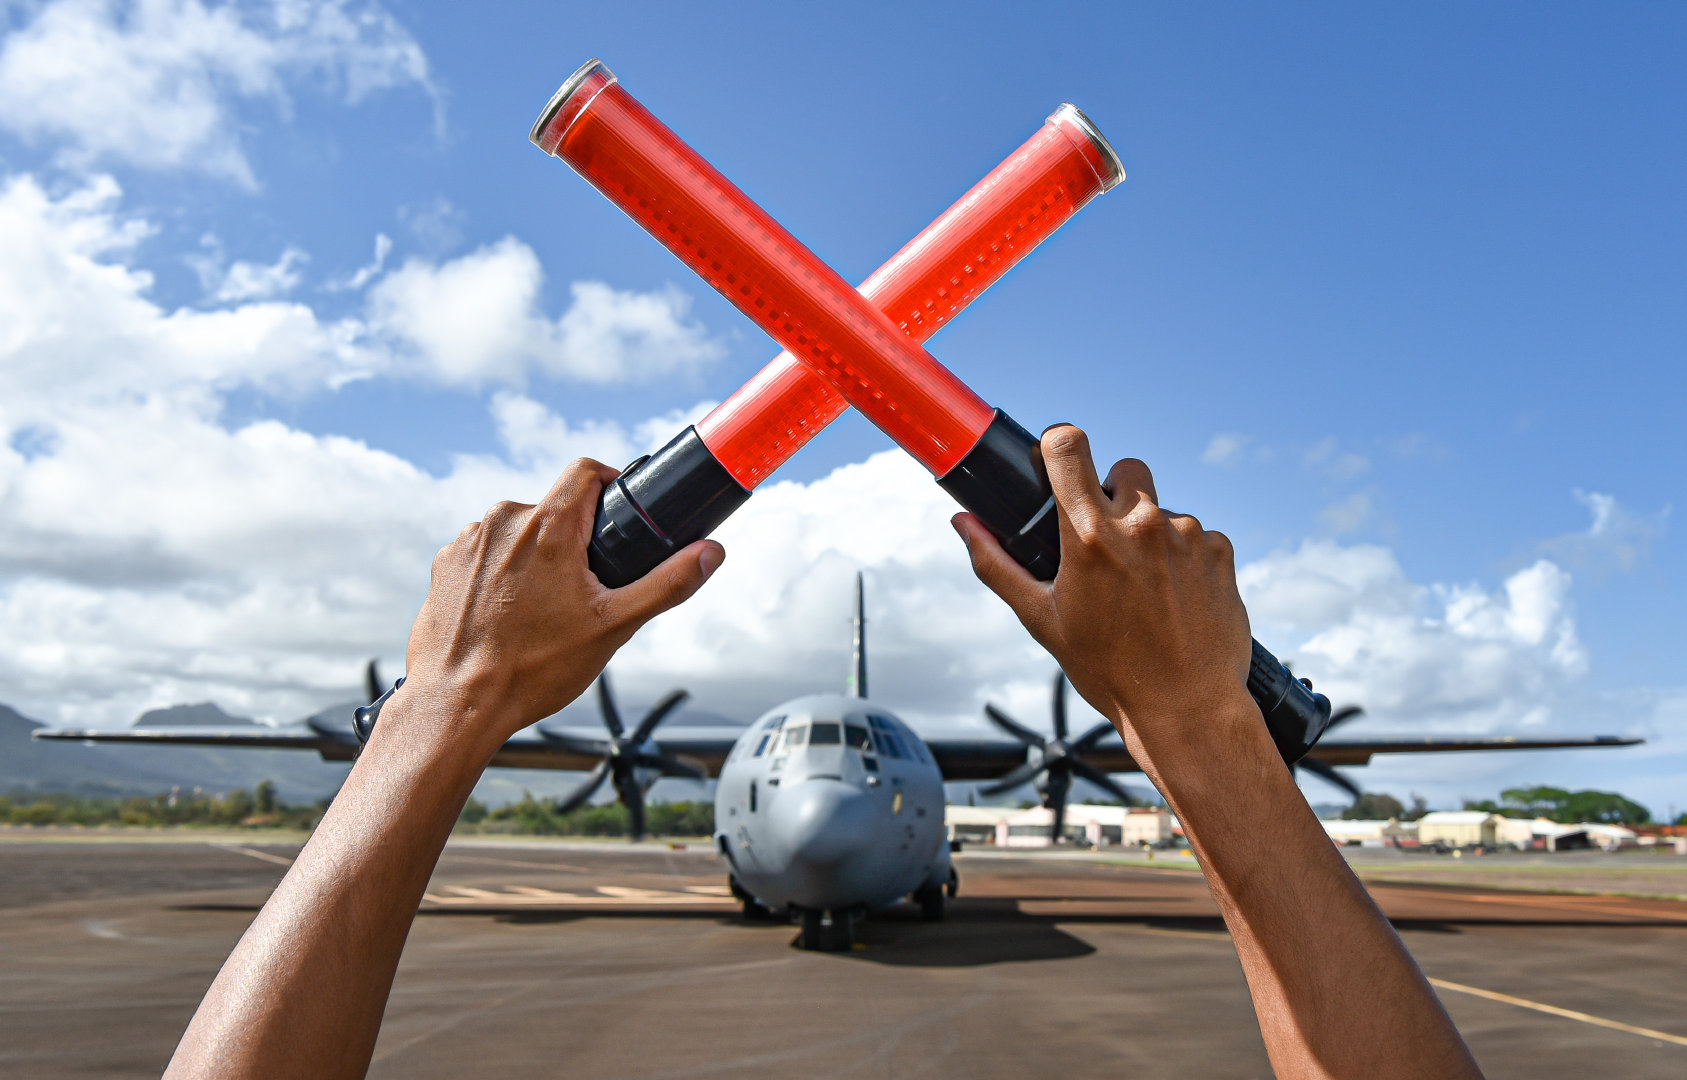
[833, 804]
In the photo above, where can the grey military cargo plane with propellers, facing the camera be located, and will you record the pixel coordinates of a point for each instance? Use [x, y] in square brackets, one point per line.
[827, 807]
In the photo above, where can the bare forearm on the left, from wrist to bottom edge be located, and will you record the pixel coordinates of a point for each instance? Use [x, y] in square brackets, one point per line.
[305, 991]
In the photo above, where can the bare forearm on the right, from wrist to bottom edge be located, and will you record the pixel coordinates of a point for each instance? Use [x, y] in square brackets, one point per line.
[1334, 985]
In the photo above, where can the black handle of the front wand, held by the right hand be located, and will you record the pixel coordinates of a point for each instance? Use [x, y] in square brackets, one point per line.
[1005, 485]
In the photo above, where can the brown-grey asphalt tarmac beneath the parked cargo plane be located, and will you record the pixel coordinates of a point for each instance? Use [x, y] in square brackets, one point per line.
[603, 961]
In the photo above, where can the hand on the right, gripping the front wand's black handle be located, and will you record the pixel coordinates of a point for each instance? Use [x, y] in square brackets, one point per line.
[1145, 613]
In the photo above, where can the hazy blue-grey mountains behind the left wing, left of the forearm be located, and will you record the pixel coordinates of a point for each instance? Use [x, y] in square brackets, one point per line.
[149, 770]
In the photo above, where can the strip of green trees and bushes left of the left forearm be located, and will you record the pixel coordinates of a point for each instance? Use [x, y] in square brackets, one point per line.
[257, 809]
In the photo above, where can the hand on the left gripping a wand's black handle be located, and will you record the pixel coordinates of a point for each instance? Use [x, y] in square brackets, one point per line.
[517, 627]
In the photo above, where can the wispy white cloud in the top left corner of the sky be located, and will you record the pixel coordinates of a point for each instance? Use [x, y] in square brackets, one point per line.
[153, 84]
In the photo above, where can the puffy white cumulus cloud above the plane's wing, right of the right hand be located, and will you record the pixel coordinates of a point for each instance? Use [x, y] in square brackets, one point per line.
[1428, 657]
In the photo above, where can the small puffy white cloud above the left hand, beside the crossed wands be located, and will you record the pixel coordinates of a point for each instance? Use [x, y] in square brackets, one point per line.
[478, 318]
